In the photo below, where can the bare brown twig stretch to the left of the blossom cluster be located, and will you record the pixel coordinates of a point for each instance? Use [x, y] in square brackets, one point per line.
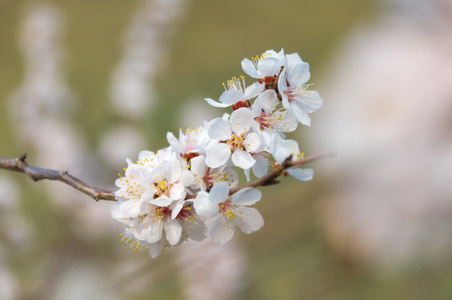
[36, 174]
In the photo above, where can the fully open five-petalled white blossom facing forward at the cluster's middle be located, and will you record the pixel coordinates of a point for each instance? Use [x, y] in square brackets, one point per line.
[235, 140]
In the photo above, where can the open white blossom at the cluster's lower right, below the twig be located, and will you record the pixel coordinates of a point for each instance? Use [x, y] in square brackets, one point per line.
[233, 213]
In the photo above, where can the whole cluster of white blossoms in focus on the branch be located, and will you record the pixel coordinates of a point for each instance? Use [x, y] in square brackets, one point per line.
[165, 197]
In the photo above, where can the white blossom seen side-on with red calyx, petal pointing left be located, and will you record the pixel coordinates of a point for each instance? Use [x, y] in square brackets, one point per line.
[236, 94]
